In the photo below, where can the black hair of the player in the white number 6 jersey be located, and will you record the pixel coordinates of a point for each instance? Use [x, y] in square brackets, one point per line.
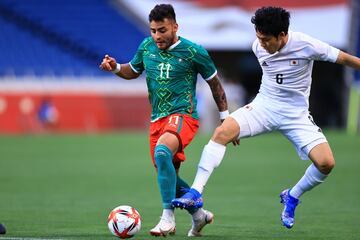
[271, 20]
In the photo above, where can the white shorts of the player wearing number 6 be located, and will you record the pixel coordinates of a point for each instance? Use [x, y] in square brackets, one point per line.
[257, 118]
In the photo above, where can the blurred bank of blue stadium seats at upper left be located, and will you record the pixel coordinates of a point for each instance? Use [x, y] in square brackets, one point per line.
[63, 37]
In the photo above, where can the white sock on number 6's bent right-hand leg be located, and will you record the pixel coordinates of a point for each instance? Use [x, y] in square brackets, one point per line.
[311, 178]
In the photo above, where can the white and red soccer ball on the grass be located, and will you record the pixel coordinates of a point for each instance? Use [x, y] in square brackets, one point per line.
[124, 221]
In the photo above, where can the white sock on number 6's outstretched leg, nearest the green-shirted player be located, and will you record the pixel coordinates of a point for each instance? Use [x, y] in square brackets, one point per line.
[211, 157]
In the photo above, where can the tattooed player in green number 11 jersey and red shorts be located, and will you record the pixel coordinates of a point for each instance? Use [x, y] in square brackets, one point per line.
[172, 64]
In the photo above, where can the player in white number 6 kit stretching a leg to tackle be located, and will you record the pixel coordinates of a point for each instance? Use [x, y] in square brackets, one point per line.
[286, 59]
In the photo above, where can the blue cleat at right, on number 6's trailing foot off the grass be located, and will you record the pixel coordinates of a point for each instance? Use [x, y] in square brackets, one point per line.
[290, 203]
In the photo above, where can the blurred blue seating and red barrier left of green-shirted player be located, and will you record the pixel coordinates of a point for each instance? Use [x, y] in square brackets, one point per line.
[50, 53]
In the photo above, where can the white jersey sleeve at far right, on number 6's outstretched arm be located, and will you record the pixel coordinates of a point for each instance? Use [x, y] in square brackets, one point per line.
[321, 51]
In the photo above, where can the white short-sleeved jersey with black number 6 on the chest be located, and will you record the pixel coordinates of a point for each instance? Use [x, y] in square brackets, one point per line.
[286, 79]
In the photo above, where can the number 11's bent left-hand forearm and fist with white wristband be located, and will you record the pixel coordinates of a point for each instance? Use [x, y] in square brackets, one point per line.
[122, 70]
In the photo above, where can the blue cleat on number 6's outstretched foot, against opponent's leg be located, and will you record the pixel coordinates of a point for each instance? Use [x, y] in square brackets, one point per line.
[190, 200]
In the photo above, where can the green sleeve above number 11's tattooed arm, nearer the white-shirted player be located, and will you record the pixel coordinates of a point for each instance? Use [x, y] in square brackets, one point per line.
[204, 64]
